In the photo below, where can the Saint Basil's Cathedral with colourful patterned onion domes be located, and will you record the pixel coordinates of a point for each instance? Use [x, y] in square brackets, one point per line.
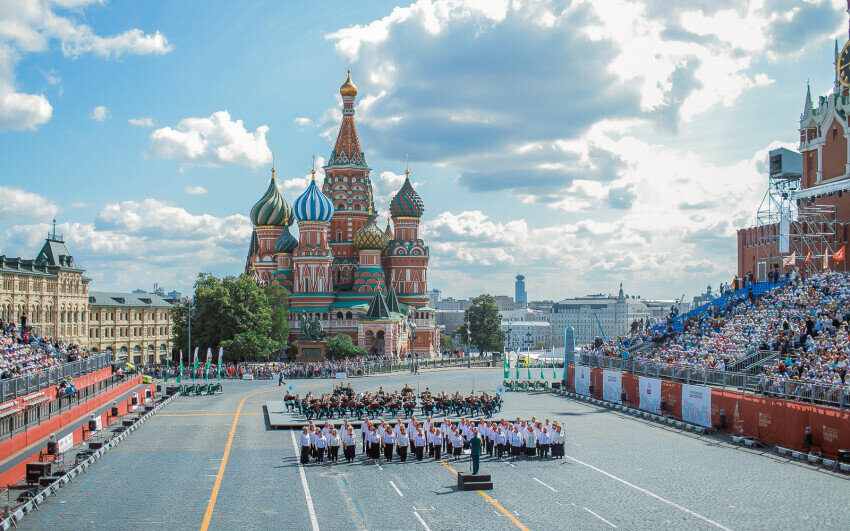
[342, 269]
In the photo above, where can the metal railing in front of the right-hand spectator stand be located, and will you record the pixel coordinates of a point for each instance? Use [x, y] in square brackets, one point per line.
[812, 392]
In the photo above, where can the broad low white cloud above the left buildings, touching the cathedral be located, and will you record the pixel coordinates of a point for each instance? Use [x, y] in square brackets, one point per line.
[136, 243]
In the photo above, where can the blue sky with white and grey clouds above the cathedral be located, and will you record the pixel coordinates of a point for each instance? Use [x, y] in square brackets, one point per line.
[582, 143]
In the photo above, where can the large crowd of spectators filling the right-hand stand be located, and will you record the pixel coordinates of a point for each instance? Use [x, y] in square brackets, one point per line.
[805, 321]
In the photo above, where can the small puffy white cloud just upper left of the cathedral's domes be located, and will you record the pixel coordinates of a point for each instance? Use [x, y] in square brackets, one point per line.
[213, 140]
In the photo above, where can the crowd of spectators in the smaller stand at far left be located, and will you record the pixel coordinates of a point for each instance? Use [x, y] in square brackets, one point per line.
[23, 352]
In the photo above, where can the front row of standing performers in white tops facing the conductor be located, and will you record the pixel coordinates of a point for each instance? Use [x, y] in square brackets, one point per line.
[528, 438]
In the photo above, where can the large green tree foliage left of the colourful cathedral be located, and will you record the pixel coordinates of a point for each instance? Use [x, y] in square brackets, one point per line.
[249, 321]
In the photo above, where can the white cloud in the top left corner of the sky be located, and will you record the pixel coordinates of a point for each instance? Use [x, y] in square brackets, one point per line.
[30, 27]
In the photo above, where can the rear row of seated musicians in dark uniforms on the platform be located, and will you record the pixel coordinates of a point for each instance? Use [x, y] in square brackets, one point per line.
[339, 405]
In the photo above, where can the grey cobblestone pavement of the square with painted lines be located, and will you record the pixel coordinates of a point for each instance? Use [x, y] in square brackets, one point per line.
[620, 472]
